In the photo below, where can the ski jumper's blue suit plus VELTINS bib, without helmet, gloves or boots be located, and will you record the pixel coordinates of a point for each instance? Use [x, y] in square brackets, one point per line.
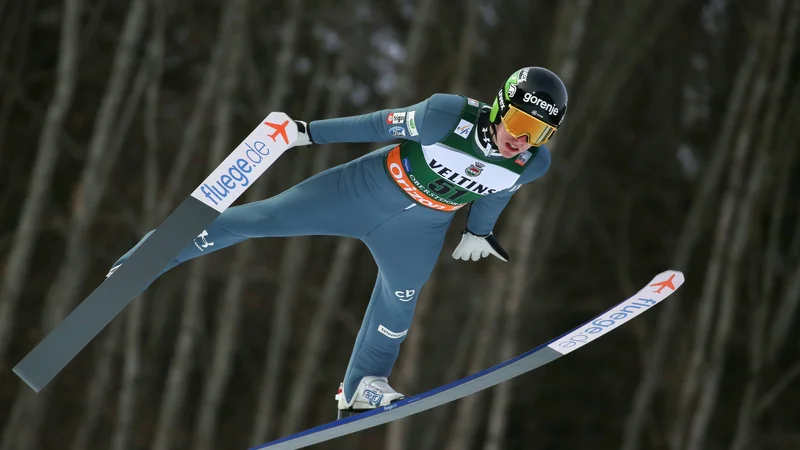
[399, 200]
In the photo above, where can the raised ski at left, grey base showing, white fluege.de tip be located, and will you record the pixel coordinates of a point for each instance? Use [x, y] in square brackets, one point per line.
[249, 160]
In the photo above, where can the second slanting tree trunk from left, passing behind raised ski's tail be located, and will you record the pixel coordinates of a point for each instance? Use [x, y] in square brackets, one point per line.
[30, 407]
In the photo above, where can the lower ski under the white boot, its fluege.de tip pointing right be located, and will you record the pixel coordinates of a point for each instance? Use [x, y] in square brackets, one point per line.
[659, 288]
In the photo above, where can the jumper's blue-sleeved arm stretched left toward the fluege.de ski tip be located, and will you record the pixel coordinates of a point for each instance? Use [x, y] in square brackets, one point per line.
[426, 122]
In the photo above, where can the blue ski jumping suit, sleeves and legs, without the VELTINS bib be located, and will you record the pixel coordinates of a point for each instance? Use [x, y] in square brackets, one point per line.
[360, 199]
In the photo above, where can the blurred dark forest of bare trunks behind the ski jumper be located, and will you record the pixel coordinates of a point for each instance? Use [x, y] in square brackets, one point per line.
[679, 150]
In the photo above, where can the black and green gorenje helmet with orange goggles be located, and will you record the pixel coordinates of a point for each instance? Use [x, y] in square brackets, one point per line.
[539, 95]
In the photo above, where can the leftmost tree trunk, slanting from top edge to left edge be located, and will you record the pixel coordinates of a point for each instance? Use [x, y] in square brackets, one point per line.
[19, 259]
